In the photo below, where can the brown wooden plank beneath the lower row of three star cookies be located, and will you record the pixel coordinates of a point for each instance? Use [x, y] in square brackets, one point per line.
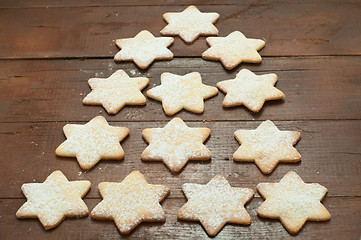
[330, 156]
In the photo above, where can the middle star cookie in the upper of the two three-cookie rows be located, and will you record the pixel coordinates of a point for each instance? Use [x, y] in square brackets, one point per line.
[178, 92]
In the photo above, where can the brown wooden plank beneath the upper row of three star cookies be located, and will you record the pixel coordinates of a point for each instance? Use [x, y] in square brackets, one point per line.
[315, 88]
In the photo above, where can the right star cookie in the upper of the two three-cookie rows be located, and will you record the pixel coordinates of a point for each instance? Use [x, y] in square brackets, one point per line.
[250, 90]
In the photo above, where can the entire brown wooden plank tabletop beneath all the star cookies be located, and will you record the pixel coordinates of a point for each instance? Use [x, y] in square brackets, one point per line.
[49, 49]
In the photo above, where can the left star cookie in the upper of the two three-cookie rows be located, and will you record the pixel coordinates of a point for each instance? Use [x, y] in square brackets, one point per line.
[116, 91]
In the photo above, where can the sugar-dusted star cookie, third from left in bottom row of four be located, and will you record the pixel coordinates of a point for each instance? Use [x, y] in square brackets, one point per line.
[215, 204]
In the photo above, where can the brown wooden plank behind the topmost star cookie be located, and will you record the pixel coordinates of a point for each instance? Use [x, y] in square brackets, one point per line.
[313, 28]
